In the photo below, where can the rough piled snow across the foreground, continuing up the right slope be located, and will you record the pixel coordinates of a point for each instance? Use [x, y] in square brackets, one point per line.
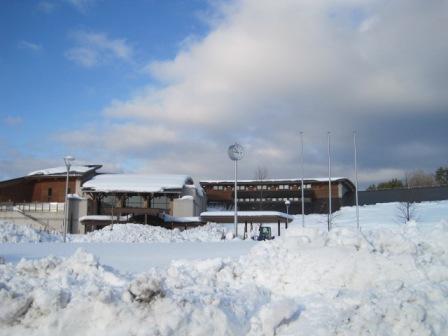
[389, 279]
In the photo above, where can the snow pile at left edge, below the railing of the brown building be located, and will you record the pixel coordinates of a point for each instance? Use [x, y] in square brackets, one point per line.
[12, 233]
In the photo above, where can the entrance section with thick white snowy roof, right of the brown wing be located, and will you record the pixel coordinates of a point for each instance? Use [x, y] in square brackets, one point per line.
[142, 198]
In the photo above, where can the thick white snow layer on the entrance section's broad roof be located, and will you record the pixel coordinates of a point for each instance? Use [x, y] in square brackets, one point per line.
[136, 183]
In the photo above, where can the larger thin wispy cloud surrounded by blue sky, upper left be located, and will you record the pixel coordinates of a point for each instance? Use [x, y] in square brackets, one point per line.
[94, 49]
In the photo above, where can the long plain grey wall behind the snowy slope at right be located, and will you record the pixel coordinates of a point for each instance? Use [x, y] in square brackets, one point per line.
[421, 194]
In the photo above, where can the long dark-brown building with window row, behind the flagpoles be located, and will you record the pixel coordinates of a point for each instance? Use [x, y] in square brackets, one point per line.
[273, 194]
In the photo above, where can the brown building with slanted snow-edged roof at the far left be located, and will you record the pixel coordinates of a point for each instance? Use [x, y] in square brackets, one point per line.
[38, 198]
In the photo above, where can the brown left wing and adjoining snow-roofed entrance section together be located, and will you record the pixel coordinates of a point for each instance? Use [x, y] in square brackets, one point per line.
[99, 199]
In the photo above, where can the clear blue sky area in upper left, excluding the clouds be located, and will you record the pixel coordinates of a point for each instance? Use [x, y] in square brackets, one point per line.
[43, 91]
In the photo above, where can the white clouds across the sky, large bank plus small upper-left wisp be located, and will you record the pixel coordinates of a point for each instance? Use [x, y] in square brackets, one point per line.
[268, 69]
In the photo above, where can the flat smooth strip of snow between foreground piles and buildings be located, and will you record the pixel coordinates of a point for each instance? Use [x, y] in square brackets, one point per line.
[125, 257]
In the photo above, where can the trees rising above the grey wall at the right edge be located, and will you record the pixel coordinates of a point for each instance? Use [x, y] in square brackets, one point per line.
[417, 178]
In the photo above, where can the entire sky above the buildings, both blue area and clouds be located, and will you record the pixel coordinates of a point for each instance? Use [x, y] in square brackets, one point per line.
[166, 86]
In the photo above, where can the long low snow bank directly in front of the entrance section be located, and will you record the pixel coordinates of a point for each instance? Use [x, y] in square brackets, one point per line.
[139, 233]
